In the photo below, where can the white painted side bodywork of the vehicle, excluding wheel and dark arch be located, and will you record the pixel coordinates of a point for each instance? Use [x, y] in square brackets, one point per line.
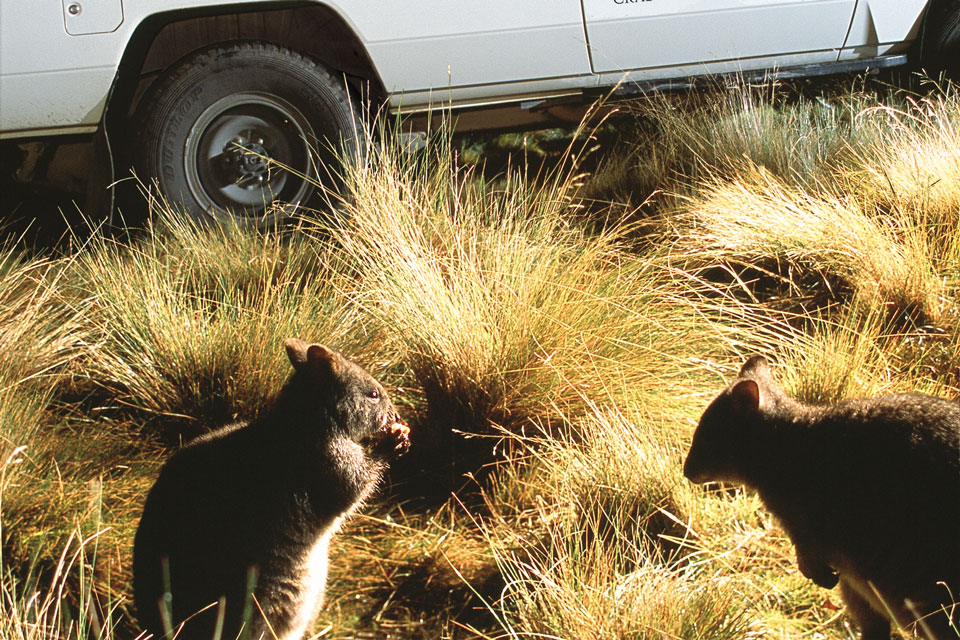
[426, 51]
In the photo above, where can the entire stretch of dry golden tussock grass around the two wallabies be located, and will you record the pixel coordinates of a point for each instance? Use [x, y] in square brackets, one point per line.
[578, 360]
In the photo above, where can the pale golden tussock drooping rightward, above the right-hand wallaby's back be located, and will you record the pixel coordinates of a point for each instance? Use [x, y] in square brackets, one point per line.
[757, 221]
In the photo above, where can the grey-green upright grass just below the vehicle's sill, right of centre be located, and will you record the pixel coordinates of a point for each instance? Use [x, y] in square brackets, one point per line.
[676, 140]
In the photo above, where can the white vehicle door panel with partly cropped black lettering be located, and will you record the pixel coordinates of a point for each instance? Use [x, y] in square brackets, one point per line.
[636, 34]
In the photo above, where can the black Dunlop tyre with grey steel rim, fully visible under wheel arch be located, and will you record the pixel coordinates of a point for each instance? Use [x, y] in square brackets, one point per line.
[216, 129]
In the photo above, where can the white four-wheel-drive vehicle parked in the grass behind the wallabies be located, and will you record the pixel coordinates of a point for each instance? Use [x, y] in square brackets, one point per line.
[207, 97]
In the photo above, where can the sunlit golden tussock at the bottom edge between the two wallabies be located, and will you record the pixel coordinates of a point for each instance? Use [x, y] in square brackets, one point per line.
[577, 594]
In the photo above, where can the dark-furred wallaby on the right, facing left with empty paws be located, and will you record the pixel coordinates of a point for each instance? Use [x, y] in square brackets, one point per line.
[867, 489]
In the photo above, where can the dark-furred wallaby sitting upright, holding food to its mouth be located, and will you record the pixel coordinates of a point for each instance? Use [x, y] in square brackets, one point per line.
[259, 502]
